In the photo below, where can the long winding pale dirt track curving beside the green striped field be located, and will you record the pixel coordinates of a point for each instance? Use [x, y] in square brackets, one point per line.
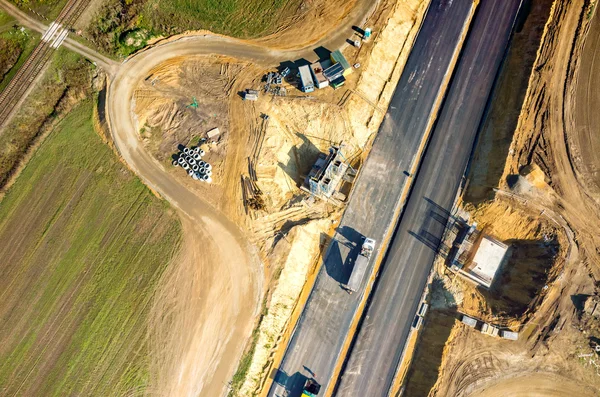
[226, 283]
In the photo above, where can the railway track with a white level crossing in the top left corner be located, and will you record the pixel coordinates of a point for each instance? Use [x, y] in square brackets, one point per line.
[57, 32]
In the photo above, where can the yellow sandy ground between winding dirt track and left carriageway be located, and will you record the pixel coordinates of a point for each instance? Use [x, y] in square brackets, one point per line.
[296, 132]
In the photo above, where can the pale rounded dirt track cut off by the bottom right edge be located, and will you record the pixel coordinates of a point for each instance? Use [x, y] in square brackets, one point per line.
[533, 385]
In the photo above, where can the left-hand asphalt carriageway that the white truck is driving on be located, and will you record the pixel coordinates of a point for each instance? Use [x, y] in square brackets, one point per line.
[322, 328]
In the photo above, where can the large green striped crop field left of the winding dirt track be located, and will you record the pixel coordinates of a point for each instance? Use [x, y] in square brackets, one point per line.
[83, 244]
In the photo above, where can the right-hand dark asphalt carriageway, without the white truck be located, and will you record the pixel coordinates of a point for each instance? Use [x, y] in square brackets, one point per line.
[373, 361]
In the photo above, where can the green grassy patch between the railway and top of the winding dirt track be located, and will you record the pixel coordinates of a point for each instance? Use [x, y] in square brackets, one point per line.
[112, 27]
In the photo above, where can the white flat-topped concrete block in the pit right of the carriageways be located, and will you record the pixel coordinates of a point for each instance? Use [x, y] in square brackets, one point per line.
[489, 257]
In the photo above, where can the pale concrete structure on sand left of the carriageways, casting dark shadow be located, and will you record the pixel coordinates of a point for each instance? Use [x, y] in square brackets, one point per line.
[326, 174]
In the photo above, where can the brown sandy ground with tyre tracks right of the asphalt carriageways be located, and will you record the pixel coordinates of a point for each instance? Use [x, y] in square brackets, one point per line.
[548, 188]
